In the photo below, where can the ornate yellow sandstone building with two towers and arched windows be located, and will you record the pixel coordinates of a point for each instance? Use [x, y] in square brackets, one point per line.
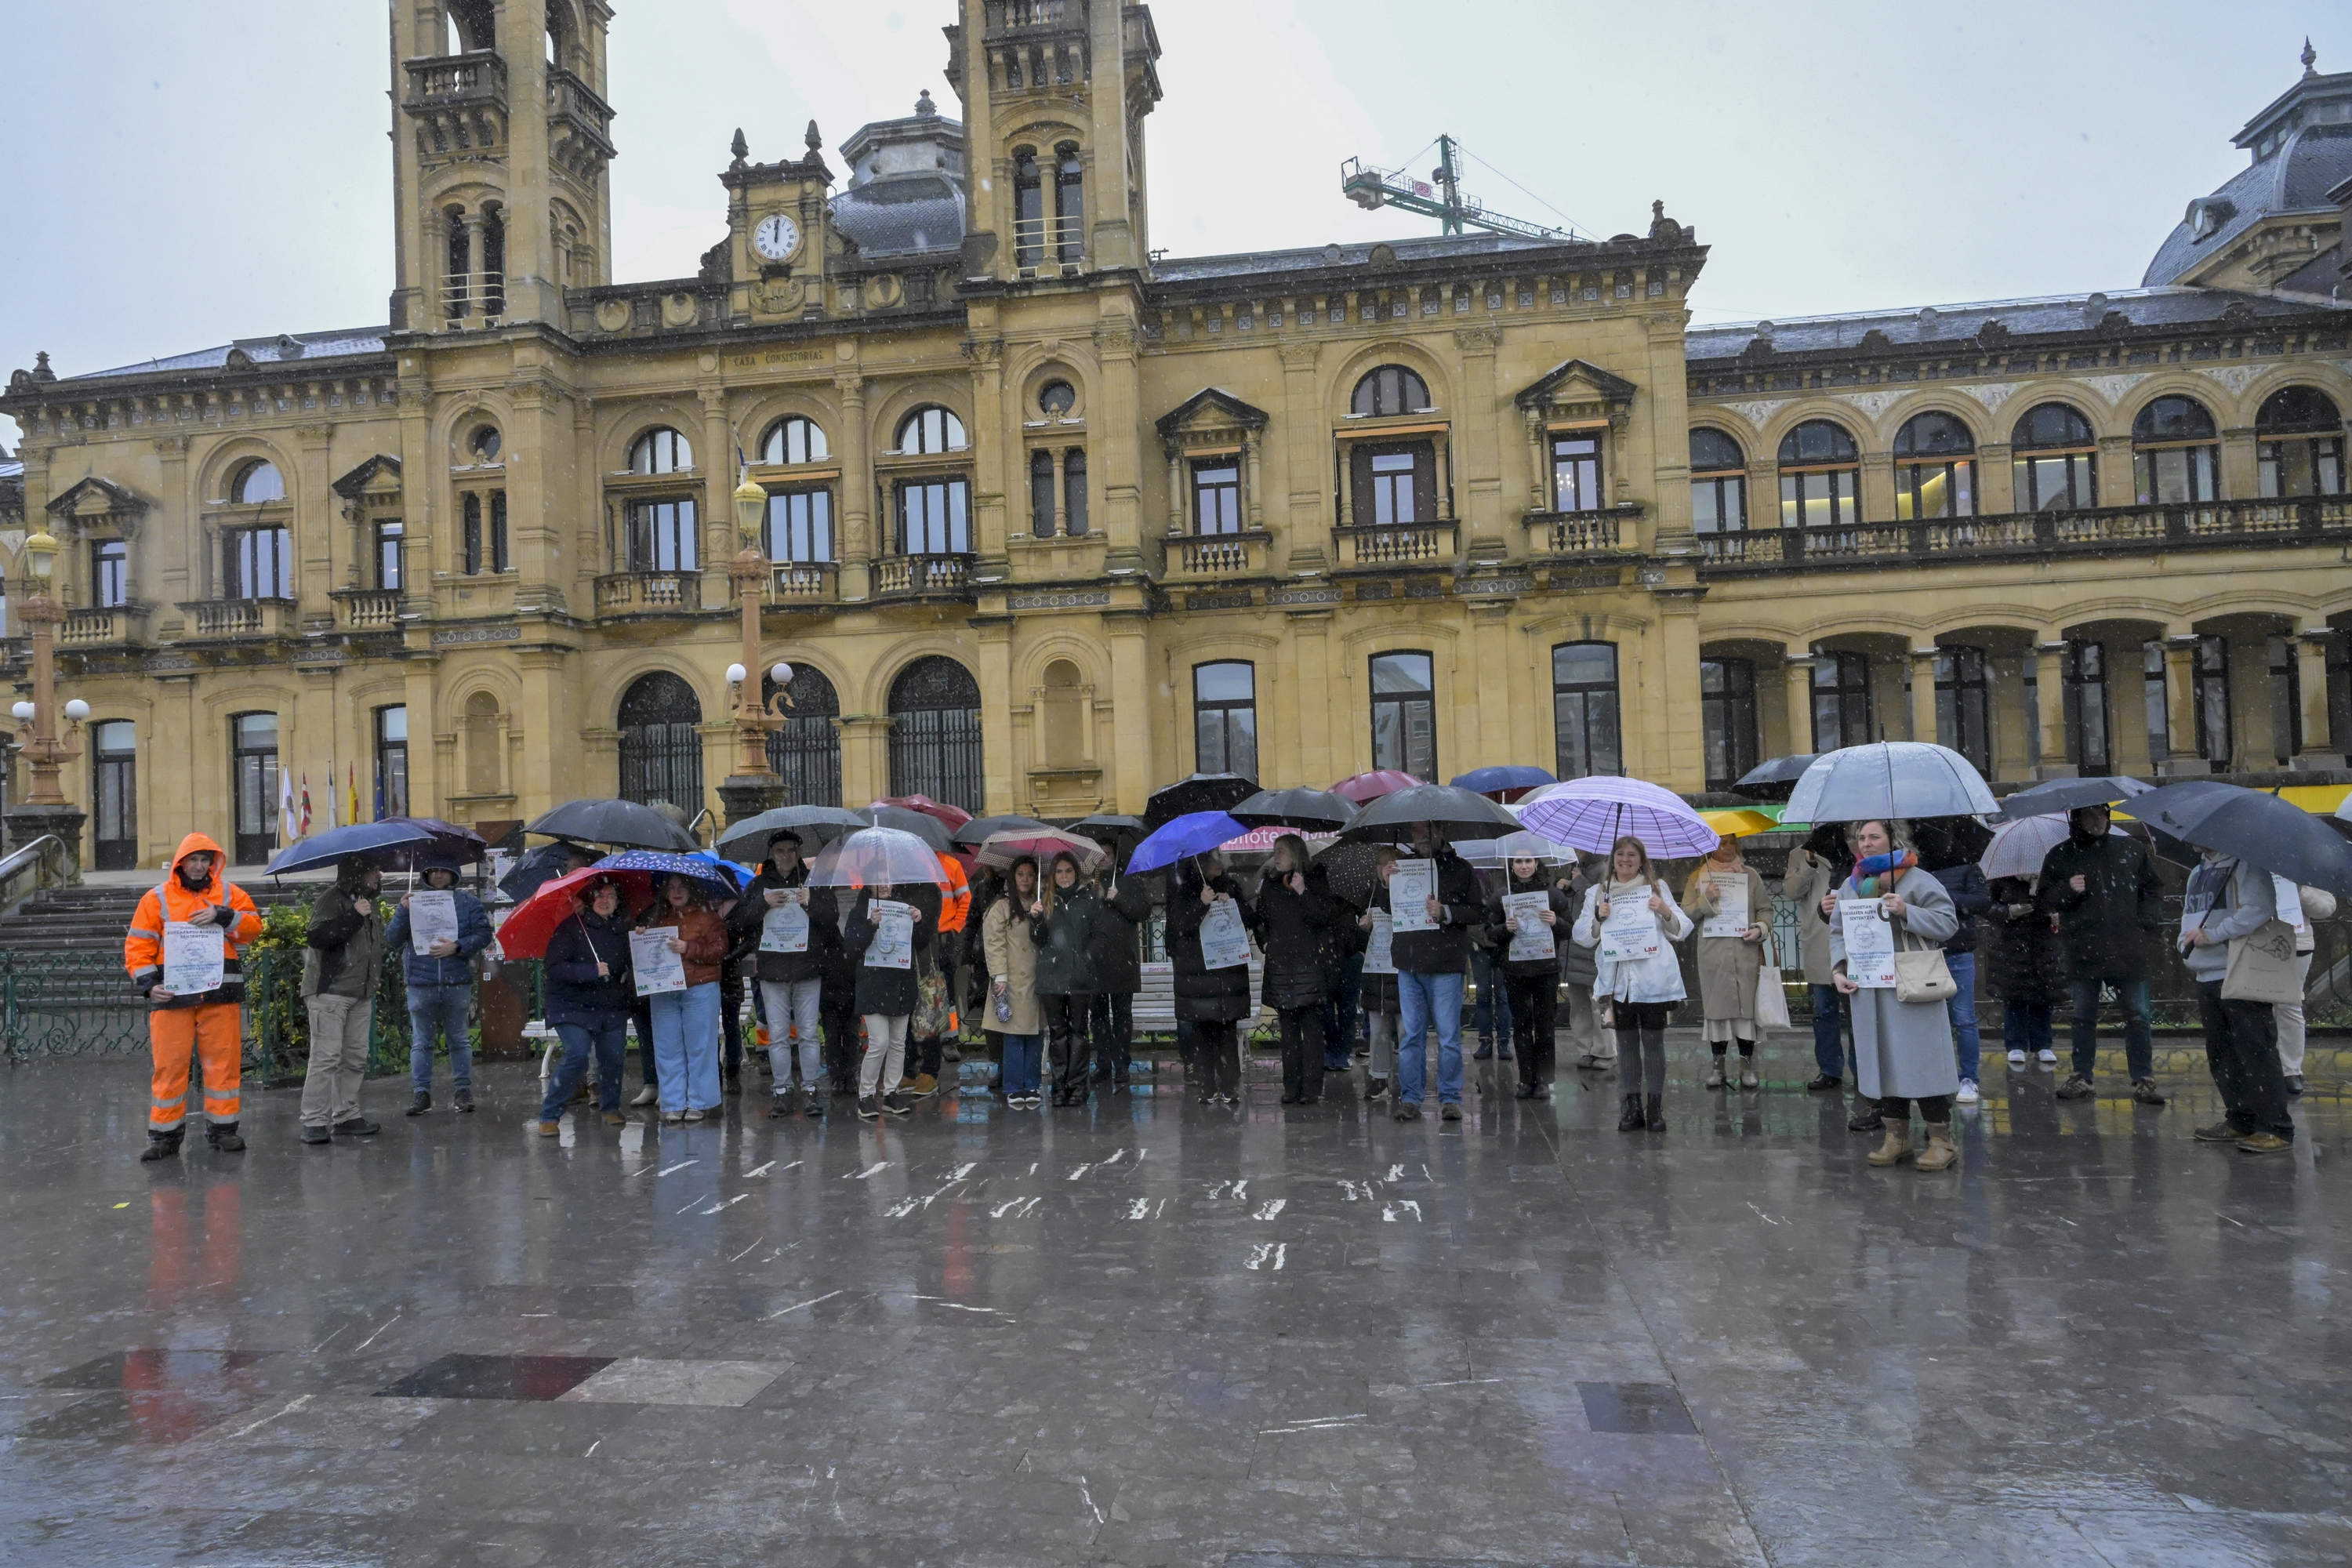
[1055, 518]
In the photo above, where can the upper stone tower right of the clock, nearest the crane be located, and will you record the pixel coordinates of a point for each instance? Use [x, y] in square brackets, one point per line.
[1055, 100]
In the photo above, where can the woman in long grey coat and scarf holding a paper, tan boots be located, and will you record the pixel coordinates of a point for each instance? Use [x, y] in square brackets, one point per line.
[1902, 1050]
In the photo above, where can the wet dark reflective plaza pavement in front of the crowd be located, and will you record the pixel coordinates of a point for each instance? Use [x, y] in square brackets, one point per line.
[1168, 1334]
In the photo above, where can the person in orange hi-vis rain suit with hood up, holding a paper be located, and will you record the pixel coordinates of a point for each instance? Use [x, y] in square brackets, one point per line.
[199, 1024]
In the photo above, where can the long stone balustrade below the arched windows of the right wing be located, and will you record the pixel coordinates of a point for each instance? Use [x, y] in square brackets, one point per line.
[2111, 530]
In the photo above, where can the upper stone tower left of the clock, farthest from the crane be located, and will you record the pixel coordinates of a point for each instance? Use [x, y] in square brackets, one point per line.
[502, 145]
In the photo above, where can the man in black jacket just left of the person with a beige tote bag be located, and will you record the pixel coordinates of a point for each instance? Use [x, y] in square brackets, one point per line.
[2109, 904]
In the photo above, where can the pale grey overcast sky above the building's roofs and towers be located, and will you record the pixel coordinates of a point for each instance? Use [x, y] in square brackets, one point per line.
[182, 175]
